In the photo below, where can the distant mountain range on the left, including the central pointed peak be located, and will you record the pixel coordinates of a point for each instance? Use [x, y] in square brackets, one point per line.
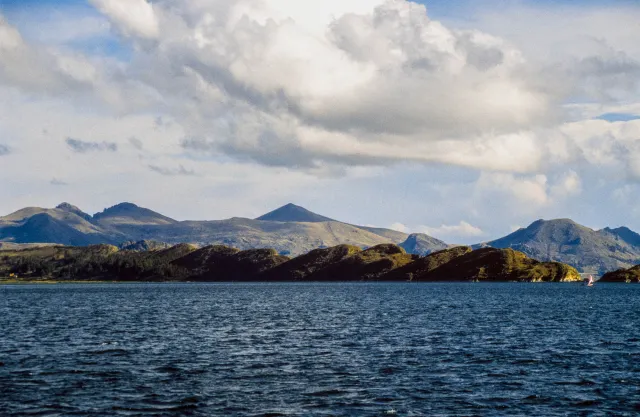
[291, 230]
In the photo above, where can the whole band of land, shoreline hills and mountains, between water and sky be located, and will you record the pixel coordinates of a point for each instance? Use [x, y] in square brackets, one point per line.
[127, 241]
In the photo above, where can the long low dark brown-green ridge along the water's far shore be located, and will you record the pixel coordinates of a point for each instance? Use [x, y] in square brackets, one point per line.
[184, 262]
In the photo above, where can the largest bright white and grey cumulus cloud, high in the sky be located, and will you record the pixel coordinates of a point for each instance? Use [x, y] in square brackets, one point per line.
[346, 83]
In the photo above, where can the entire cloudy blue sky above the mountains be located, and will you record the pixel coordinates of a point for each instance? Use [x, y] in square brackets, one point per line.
[462, 121]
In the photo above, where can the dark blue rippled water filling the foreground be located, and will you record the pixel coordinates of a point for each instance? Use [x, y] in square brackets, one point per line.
[320, 349]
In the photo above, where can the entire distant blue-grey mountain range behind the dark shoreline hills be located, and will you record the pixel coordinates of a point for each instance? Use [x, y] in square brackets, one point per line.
[293, 230]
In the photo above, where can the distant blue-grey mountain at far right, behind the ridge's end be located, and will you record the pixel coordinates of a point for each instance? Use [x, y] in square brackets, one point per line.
[564, 240]
